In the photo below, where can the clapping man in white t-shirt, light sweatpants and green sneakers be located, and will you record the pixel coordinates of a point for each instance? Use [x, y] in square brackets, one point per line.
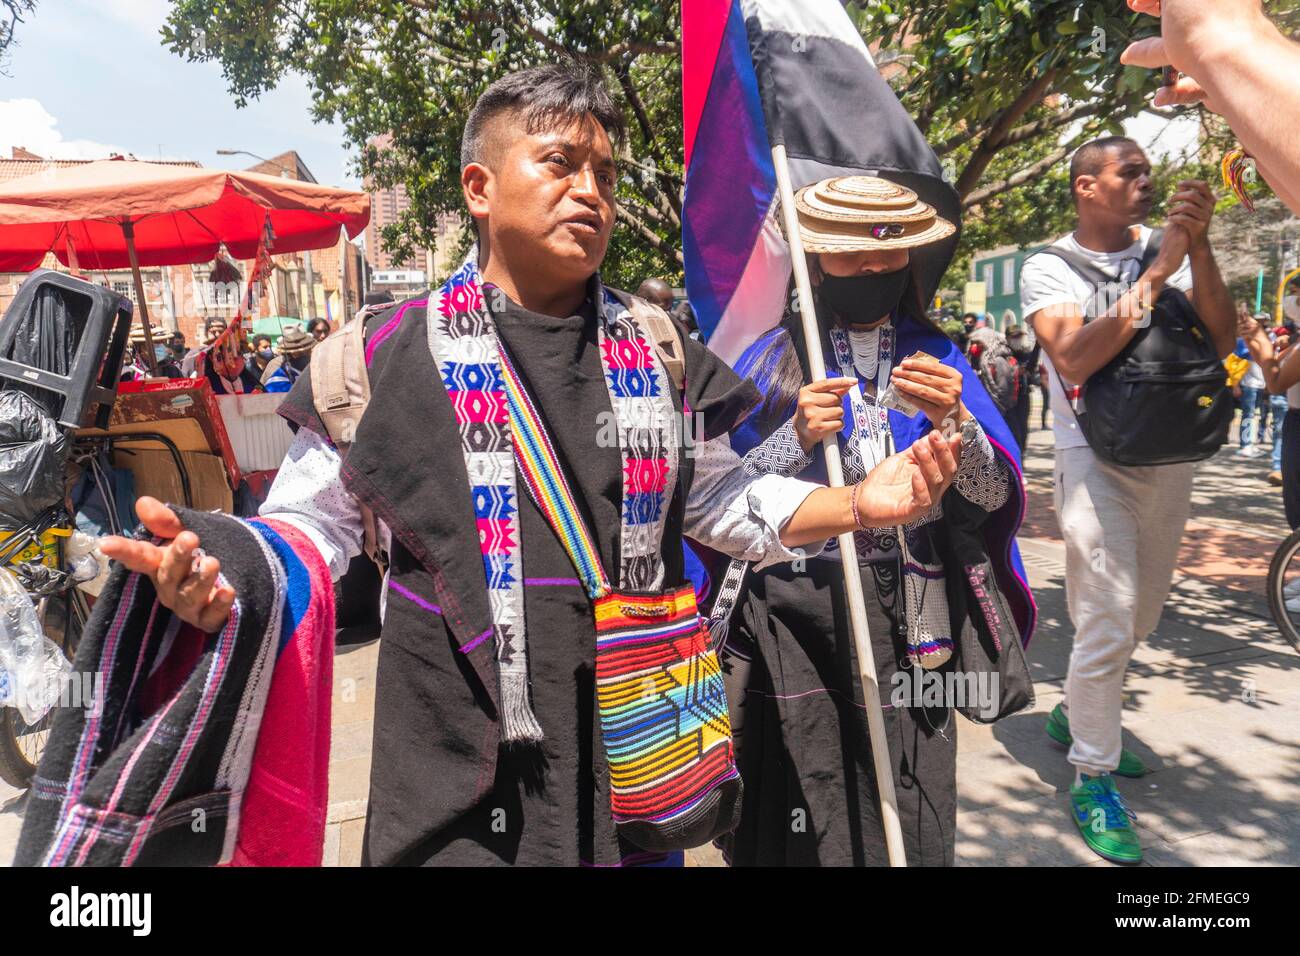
[1123, 526]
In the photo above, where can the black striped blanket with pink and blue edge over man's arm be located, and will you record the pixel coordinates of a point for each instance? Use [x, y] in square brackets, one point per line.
[198, 750]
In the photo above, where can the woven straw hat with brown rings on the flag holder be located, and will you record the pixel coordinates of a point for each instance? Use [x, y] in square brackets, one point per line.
[851, 214]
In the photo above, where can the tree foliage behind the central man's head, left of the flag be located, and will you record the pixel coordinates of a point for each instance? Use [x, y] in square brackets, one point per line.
[414, 68]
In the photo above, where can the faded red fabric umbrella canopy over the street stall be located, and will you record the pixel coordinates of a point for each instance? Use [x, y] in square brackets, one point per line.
[180, 215]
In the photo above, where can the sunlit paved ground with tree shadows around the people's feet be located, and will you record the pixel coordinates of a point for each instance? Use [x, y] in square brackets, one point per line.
[1214, 704]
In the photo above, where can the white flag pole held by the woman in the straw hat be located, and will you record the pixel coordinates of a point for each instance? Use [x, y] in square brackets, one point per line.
[848, 550]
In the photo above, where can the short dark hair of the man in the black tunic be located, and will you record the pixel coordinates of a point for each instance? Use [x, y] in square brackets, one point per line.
[547, 97]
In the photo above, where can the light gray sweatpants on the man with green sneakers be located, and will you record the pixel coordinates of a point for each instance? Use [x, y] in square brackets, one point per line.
[1123, 527]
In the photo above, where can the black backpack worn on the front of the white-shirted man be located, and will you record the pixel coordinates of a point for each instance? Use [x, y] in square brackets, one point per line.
[1164, 399]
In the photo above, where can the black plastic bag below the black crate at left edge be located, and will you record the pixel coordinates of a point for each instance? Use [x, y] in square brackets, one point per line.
[33, 453]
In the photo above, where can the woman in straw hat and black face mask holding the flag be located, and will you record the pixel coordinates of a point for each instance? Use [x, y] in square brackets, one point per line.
[811, 794]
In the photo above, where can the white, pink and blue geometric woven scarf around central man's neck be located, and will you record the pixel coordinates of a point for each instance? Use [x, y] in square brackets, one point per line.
[469, 357]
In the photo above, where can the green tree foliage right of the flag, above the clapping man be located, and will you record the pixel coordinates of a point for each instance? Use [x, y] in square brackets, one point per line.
[1006, 92]
